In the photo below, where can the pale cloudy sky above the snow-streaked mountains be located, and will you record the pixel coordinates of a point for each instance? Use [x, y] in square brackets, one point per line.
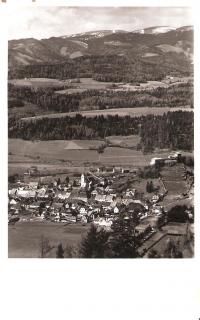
[44, 22]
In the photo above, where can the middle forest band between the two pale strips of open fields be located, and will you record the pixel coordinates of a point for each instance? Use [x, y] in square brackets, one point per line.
[49, 100]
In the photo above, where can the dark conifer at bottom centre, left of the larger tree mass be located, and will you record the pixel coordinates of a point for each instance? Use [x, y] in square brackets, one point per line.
[95, 244]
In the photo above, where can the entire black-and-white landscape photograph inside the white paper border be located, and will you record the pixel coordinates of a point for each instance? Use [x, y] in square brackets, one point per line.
[100, 132]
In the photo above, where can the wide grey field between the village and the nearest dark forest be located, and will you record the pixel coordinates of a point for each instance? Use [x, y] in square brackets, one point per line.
[64, 153]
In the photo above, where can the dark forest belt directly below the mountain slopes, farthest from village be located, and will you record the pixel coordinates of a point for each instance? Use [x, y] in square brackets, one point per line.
[112, 68]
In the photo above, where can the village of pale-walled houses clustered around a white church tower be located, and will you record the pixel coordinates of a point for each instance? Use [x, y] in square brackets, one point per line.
[100, 195]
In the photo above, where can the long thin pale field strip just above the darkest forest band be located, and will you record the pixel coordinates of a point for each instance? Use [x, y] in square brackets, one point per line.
[121, 112]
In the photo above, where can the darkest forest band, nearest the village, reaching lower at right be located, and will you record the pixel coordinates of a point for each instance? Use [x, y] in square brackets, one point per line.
[173, 130]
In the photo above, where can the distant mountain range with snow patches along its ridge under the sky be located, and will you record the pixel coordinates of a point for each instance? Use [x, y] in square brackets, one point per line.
[149, 44]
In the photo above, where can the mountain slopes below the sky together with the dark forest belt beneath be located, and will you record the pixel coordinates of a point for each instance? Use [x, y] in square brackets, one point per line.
[105, 56]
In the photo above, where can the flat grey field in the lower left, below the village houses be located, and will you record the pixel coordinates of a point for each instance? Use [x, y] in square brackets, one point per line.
[24, 237]
